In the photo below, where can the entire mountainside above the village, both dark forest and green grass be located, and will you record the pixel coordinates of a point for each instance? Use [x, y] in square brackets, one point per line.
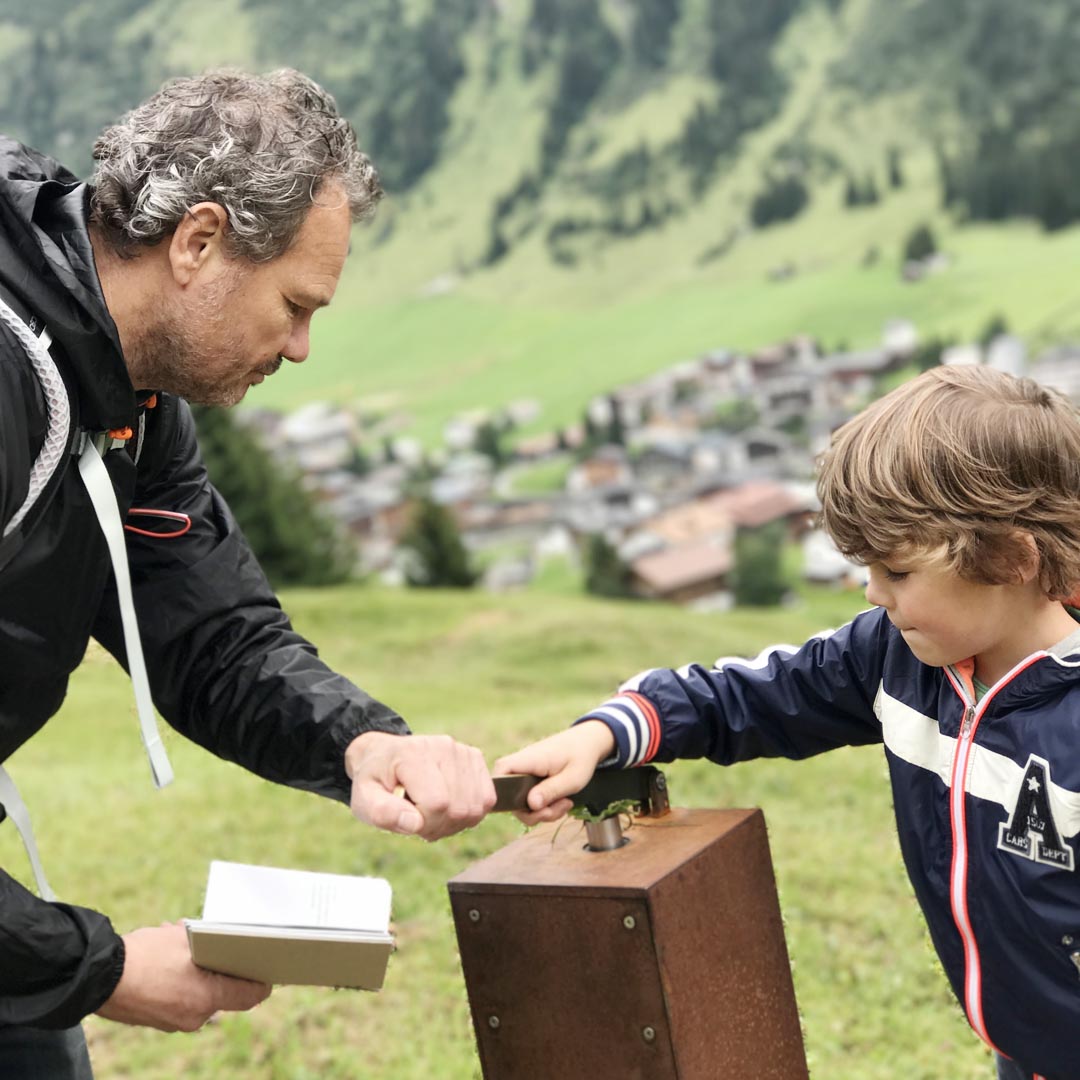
[548, 158]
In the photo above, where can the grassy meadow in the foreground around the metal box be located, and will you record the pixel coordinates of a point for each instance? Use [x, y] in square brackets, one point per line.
[496, 672]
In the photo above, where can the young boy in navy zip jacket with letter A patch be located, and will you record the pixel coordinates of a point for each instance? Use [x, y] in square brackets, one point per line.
[961, 492]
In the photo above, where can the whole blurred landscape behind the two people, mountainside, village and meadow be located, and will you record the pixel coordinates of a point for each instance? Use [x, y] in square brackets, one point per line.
[637, 261]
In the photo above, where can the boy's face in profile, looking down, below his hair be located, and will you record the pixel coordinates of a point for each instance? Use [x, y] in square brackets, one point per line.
[944, 618]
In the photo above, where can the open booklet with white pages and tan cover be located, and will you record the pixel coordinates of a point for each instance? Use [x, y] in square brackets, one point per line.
[295, 927]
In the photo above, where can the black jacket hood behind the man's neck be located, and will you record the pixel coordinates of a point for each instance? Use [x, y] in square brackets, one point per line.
[48, 263]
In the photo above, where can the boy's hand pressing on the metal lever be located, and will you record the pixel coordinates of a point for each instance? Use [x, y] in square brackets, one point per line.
[569, 761]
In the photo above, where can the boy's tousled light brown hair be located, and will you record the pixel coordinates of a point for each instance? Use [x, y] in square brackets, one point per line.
[957, 466]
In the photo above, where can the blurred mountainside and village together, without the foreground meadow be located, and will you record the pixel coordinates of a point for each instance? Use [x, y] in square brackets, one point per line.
[634, 254]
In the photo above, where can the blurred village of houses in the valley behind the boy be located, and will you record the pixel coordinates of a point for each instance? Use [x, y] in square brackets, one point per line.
[681, 488]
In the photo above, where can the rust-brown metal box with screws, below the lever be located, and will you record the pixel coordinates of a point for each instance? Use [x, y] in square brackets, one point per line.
[661, 961]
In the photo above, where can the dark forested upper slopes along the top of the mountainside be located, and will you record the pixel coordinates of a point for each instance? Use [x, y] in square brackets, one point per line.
[983, 78]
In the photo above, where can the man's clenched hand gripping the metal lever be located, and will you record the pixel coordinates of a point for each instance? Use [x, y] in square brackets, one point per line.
[447, 787]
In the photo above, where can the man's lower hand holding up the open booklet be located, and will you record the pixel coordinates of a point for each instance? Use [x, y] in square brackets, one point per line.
[163, 989]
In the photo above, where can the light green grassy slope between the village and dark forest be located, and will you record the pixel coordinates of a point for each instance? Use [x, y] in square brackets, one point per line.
[416, 330]
